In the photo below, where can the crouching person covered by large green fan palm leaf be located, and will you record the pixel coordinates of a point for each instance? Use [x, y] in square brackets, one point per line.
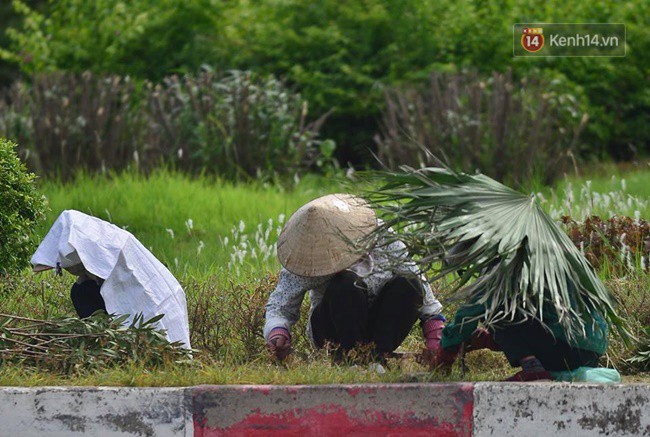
[519, 275]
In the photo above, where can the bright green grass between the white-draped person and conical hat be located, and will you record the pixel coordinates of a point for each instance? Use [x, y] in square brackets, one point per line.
[160, 205]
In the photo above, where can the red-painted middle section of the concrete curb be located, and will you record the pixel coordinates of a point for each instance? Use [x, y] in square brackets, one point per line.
[397, 409]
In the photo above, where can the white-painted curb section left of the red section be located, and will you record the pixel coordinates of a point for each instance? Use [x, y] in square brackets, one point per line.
[119, 411]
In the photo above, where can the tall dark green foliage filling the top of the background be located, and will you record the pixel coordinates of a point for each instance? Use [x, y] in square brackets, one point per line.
[341, 54]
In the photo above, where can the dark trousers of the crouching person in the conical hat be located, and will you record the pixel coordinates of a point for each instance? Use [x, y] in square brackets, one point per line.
[346, 318]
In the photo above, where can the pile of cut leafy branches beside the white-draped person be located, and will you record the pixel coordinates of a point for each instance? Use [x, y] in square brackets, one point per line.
[70, 345]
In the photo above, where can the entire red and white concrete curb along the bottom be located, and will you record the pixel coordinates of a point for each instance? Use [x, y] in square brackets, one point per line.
[452, 409]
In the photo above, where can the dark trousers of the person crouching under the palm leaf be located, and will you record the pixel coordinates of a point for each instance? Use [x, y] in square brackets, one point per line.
[518, 340]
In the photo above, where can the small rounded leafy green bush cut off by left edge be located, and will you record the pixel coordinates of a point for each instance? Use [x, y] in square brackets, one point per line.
[22, 207]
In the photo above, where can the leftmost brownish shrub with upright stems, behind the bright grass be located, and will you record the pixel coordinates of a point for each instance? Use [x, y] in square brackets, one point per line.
[65, 122]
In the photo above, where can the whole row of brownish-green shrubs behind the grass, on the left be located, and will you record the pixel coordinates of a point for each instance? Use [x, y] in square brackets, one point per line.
[233, 125]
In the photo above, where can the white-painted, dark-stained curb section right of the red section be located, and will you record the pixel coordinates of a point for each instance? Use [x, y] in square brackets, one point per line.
[556, 409]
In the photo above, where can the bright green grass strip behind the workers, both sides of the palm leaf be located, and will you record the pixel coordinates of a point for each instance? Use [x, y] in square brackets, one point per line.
[154, 207]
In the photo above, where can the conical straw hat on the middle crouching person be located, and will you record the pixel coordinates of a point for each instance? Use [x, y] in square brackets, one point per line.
[319, 239]
